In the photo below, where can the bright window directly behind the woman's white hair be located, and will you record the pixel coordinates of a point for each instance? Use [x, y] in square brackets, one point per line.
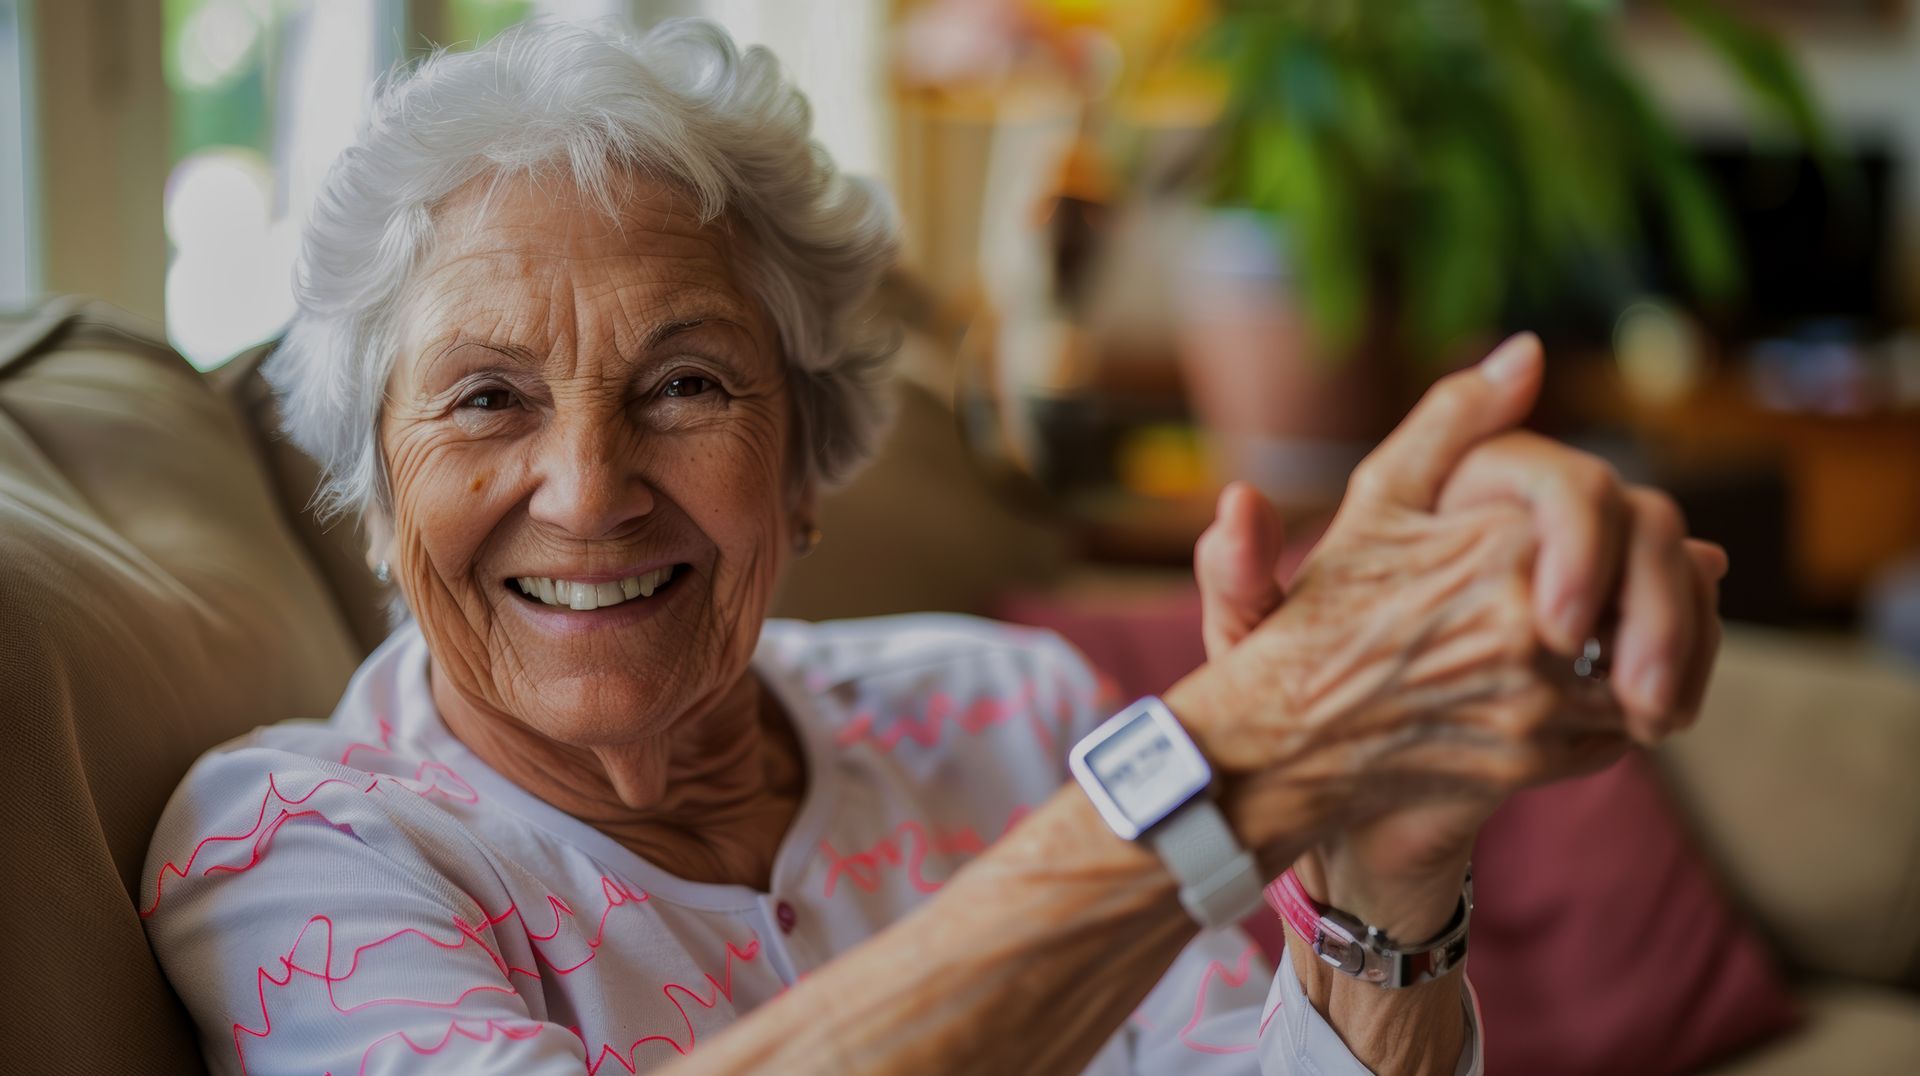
[266, 95]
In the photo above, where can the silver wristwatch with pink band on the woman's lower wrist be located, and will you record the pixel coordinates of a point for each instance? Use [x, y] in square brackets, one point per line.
[1364, 952]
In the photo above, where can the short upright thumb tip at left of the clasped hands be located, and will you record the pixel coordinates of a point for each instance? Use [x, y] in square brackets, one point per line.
[1236, 564]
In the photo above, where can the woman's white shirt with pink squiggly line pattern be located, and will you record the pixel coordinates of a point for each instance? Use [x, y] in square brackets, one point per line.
[370, 896]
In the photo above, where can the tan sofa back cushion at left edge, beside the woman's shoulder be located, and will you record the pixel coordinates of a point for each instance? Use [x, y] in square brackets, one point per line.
[155, 606]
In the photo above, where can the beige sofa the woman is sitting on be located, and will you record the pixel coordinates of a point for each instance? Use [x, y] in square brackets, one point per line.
[162, 589]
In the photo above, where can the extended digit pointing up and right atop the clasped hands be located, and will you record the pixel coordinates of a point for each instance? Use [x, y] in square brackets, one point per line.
[1462, 410]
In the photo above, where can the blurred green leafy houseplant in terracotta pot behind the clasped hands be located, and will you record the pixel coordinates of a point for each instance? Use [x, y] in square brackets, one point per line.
[1420, 170]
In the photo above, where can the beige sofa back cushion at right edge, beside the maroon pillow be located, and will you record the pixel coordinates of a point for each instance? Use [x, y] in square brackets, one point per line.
[1802, 781]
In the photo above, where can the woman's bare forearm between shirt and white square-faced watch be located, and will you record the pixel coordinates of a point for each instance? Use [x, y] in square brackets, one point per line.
[1026, 962]
